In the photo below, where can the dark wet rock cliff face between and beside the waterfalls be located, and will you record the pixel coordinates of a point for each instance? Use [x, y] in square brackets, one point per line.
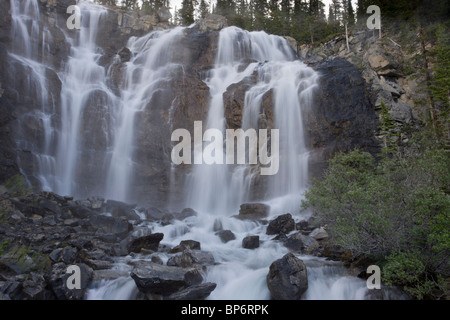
[344, 114]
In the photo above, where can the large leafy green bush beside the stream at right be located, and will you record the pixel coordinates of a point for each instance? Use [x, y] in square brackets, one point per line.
[392, 210]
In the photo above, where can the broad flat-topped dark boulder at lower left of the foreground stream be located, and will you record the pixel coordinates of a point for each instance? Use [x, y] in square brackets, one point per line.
[163, 280]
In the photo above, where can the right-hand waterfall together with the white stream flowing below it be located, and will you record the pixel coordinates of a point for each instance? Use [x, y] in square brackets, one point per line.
[217, 191]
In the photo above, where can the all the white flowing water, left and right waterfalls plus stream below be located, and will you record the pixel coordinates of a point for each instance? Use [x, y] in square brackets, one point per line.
[89, 110]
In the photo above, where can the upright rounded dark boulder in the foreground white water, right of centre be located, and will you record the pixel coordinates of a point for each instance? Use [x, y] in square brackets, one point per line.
[287, 278]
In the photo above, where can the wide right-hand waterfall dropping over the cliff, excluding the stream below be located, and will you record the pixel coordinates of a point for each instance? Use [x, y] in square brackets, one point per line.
[220, 189]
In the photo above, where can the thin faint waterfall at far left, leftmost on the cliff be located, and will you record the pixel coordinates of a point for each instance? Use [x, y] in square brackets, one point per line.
[25, 54]
